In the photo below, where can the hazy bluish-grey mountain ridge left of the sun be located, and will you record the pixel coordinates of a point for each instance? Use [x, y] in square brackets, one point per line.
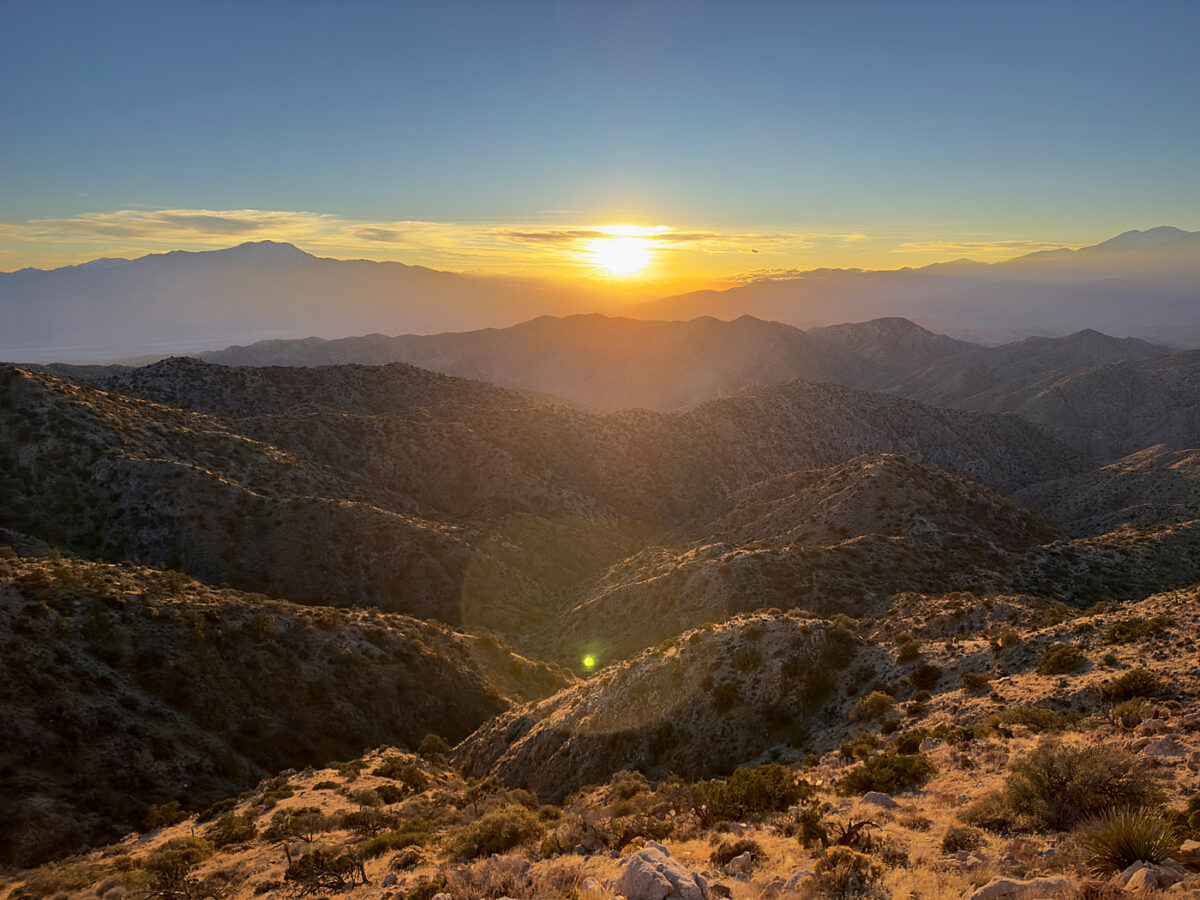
[189, 301]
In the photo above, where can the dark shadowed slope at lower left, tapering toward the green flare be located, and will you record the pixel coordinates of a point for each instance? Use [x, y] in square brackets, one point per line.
[128, 687]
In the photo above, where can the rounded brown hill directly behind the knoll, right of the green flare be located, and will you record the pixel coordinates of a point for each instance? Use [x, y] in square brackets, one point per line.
[838, 541]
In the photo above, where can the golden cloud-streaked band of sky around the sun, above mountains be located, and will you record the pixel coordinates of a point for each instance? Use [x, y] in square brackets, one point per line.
[632, 254]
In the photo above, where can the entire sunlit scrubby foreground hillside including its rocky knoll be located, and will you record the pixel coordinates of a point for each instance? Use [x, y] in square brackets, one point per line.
[971, 764]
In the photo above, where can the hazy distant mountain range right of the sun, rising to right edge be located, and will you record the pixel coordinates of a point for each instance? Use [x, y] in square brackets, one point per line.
[1139, 284]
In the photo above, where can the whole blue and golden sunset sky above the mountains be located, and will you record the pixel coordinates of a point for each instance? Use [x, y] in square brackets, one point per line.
[729, 139]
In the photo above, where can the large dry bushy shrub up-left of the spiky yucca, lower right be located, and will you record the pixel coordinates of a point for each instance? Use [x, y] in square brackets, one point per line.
[1058, 787]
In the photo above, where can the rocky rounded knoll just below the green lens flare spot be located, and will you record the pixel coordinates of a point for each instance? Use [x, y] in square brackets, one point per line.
[699, 705]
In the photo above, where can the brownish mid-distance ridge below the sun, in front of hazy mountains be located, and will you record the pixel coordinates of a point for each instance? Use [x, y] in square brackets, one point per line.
[1106, 397]
